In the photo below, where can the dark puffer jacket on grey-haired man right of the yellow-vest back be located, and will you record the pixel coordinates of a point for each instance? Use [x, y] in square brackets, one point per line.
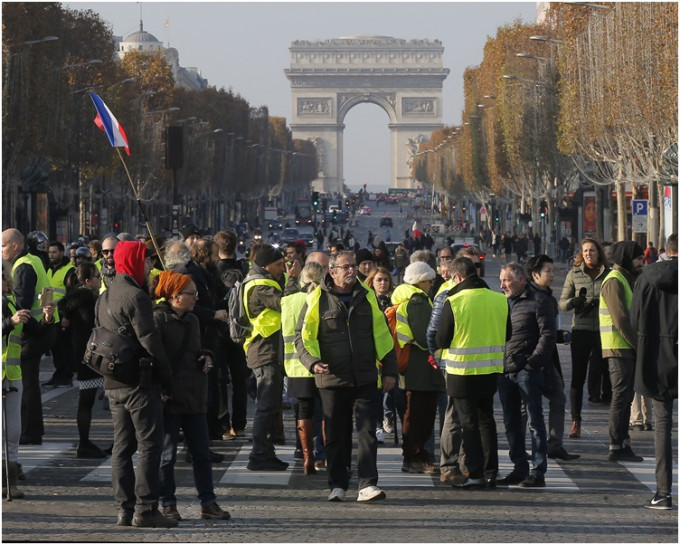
[533, 331]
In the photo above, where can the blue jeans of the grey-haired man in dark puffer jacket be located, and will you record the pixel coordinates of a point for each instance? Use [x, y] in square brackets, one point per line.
[524, 386]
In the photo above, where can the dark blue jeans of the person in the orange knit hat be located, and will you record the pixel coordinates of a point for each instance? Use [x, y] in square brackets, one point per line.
[195, 427]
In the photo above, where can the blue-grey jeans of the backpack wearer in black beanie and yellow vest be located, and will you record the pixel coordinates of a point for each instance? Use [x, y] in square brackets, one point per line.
[269, 388]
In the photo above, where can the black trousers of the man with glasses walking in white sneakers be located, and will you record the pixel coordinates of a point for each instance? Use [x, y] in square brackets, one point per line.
[340, 407]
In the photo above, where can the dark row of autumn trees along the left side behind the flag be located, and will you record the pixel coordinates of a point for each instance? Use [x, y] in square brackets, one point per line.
[59, 174]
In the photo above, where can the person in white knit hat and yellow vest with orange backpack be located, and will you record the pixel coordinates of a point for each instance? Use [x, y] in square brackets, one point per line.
[422, 381]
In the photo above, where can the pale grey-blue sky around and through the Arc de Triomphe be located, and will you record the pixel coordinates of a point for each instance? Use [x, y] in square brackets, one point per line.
[244, 46]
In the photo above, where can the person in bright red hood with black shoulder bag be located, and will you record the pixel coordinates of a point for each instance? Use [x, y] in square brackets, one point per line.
[136, 411]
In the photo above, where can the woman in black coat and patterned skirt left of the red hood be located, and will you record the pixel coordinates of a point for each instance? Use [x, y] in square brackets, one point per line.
[77, 307]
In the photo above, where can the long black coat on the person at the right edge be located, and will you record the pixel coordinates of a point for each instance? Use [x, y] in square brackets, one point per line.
[654, 316]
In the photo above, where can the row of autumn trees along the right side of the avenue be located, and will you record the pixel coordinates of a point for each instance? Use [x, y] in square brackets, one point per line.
[587, 100]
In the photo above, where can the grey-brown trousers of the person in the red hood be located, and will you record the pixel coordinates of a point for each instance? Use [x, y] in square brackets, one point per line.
[137, 415]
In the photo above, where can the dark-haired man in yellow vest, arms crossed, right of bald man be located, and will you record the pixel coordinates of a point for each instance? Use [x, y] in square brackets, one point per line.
[58, 273]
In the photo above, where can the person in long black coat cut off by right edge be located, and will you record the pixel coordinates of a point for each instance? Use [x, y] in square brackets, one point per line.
[654, 316]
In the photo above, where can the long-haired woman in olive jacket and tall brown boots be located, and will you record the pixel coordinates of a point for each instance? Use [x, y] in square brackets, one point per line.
[581, 293]
